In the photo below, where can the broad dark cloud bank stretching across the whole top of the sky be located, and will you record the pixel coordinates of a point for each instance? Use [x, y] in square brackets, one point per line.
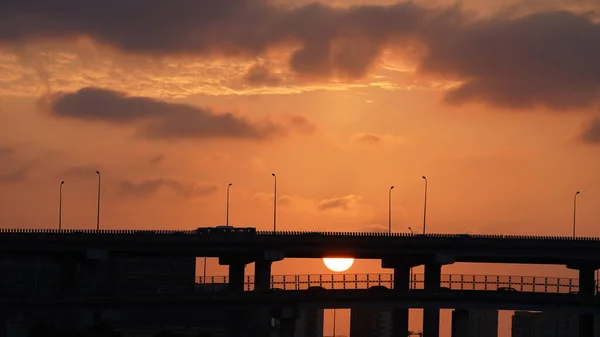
[513, 60]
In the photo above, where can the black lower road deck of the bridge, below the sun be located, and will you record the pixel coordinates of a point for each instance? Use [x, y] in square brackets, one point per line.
[315, 298]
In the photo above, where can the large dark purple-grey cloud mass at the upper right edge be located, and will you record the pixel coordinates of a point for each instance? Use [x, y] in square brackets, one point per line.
[548, 59]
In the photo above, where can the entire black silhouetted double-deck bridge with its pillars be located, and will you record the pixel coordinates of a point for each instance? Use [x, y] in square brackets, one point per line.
[101, 269]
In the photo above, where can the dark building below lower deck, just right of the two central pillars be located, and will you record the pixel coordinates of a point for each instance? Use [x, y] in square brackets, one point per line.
[474, 323]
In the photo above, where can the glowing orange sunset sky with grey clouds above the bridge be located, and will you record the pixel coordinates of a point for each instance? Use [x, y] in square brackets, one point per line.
[496, 102]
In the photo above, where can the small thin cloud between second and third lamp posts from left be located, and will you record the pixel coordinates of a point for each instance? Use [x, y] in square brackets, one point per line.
[180, 188]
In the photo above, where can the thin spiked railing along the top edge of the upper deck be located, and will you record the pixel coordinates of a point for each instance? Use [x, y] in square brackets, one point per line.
[291, 233]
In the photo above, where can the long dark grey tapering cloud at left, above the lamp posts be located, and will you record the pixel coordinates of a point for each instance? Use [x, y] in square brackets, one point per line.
[156, 119]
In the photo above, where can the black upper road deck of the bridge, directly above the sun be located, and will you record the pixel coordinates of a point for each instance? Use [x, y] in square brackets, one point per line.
[462, 248]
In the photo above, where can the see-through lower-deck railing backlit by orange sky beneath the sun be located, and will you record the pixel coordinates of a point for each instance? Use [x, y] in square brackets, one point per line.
[451, 281]
